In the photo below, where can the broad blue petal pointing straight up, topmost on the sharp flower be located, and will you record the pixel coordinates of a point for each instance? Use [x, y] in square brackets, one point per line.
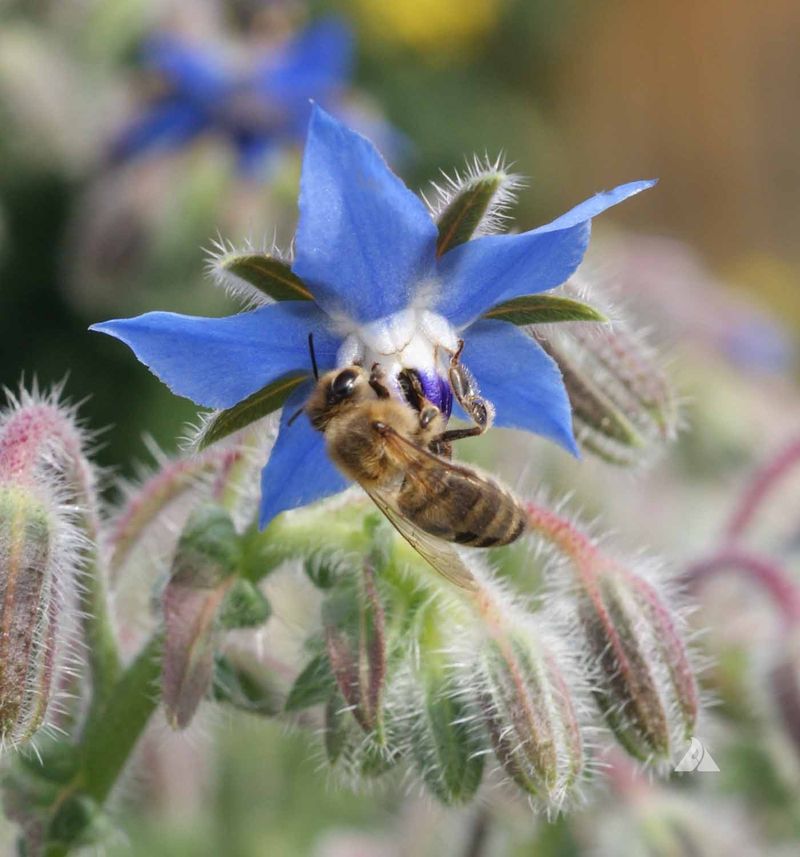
[364, 241]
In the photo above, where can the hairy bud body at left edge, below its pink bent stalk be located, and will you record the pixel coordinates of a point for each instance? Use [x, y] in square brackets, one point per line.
[31, 608]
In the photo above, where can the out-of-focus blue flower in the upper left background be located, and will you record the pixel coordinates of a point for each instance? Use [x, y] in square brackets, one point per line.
[258, 111]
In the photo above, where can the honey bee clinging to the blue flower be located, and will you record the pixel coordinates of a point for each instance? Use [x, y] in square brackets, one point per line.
[398, 452]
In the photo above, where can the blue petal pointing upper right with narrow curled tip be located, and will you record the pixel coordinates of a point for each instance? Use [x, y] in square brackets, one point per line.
[485, 271]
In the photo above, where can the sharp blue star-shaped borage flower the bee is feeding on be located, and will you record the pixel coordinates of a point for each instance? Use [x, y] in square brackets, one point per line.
[375, 286]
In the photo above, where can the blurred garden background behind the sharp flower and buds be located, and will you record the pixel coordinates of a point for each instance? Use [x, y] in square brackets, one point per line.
[115, 174]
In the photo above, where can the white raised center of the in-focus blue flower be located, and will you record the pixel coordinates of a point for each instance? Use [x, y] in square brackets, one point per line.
[413, 338]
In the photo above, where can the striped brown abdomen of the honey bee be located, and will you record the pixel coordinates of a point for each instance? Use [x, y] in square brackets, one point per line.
[468, 511]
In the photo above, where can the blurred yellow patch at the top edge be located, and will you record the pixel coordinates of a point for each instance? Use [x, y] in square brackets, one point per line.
[437, 28]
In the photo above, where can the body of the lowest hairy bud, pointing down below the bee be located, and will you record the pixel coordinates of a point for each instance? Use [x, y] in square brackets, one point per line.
[530, 716]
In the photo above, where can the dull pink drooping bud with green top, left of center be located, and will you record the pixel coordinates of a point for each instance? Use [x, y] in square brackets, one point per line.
[203, 573]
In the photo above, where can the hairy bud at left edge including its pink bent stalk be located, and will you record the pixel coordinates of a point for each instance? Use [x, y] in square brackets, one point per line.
[39, 556]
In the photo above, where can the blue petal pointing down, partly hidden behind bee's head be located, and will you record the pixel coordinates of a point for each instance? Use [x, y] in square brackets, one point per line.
[298, 470]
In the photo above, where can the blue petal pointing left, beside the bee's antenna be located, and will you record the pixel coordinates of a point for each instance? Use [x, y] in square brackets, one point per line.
[217, 362]
